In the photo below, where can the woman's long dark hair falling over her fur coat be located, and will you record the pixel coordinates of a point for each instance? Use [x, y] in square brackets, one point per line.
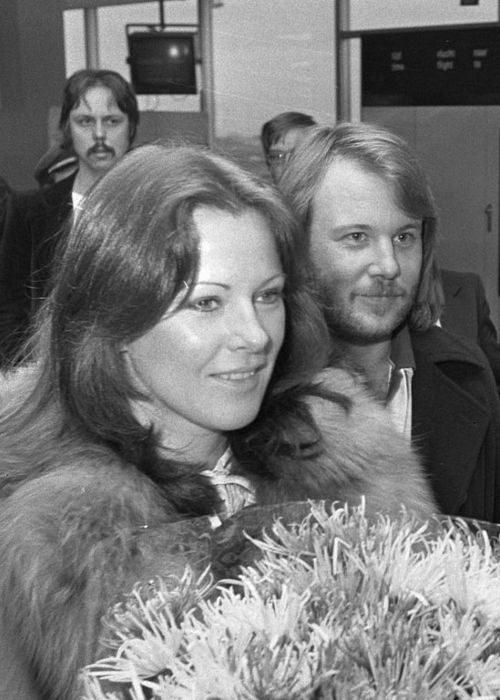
[131, 252]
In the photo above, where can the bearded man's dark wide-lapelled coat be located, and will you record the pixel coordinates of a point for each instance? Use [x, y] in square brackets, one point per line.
[456, 423]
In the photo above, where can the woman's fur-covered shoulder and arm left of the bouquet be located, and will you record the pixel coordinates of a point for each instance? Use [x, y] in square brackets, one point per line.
[71, 540]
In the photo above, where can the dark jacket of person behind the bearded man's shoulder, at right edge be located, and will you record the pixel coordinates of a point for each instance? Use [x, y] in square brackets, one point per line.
[467, 313]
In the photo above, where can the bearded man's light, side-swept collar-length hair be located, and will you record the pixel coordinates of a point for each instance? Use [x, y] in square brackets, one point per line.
[385, 154]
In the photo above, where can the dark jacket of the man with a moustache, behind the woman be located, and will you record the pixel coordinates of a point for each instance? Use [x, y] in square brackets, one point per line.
[30, 235]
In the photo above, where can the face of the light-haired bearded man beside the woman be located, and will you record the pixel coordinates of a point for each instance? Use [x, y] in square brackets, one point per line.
[366, 253]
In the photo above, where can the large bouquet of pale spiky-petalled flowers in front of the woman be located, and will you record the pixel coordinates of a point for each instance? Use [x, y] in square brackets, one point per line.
[329, 606]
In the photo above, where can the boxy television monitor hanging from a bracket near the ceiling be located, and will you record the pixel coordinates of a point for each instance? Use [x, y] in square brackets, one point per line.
[162, 62]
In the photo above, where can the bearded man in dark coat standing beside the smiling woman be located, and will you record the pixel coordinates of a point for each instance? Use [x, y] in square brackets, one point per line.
[370, 219]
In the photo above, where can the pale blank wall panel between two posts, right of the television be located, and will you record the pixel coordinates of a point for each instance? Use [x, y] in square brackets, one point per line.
[272, 57]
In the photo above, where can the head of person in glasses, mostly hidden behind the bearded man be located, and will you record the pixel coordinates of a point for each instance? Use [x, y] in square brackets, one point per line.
[280, 135]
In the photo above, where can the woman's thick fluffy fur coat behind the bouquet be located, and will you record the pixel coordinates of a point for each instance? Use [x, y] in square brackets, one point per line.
[88, 526]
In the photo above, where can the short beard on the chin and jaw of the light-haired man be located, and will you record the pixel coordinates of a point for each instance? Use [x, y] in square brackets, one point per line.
[347, 325]
